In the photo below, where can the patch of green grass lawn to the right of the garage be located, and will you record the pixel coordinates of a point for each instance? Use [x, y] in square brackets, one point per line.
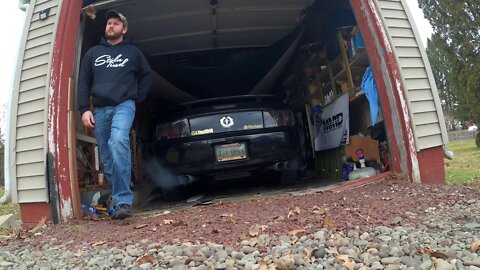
[464, 169]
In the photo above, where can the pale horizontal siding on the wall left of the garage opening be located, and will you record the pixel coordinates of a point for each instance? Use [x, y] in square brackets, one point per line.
[29, 105]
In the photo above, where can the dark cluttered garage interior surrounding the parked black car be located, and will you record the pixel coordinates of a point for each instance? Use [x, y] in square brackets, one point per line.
[308, 53]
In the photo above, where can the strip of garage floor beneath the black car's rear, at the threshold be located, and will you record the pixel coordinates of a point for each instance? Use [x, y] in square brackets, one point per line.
[238, 190]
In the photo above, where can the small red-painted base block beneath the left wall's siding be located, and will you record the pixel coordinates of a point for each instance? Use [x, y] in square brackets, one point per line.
[33, 213]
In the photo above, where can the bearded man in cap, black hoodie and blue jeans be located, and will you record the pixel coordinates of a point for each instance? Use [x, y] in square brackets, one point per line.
[117, 76]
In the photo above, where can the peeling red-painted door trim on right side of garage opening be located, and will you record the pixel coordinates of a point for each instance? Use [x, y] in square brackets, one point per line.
[383, 61]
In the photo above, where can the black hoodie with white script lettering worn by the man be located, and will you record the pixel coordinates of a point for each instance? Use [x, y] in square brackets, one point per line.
[112, 74]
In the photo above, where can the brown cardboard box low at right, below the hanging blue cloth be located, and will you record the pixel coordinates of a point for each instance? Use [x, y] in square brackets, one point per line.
[367, 144]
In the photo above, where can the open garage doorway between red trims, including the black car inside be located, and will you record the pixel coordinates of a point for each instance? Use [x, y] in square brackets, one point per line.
[283, 88]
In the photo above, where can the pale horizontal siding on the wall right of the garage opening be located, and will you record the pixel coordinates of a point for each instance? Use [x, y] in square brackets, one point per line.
[422, 94]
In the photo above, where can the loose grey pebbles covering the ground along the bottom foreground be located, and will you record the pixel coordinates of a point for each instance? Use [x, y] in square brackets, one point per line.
[382, 247]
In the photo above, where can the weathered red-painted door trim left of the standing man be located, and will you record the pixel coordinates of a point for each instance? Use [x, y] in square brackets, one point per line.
[62, 69]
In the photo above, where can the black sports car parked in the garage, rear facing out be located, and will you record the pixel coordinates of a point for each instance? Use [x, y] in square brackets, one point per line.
[233, 137]
